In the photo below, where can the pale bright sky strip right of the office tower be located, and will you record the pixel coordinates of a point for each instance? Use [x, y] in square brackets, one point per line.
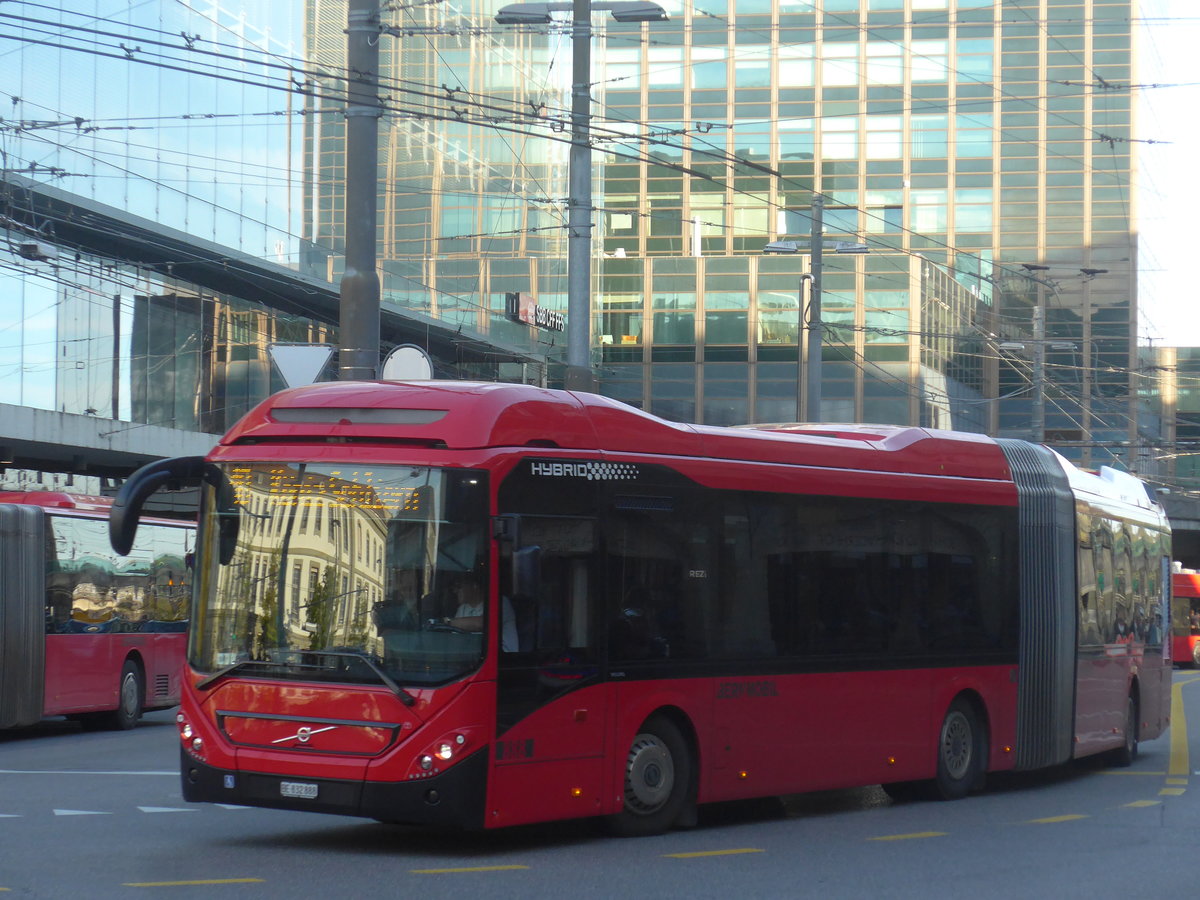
[1169, 191]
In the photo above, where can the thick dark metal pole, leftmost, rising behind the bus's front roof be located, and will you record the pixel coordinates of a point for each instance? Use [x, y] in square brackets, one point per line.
[359, 320]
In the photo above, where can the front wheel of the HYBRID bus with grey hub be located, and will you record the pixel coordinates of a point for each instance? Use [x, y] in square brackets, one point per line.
[658, 781]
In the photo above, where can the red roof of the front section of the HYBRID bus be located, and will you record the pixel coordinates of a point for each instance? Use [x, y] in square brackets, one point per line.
[476, 416]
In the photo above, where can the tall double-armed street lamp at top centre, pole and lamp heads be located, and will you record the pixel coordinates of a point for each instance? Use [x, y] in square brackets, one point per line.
[579, 205]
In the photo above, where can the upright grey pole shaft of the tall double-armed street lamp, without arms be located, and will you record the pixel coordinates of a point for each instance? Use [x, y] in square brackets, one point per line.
[579, 206]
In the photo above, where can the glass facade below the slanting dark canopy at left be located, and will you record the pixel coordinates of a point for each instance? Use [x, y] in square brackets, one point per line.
[117, 343]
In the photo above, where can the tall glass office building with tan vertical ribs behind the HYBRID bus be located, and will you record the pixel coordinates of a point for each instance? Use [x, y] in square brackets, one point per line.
[981, 151]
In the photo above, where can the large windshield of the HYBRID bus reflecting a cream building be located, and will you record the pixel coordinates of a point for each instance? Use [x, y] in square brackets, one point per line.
[341, 573]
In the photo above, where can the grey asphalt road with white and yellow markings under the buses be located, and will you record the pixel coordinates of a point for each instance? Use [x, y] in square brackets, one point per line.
[100, 815]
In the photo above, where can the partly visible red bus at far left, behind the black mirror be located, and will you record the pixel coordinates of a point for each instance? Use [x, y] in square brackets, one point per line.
[85, 633]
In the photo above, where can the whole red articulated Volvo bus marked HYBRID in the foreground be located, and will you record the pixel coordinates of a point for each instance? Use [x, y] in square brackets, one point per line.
[485, 605]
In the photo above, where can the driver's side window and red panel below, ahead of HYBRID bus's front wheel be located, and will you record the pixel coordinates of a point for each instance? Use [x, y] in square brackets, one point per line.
[551, 705]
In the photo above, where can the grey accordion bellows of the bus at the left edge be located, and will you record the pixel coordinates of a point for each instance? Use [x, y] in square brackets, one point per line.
[22, 614]
